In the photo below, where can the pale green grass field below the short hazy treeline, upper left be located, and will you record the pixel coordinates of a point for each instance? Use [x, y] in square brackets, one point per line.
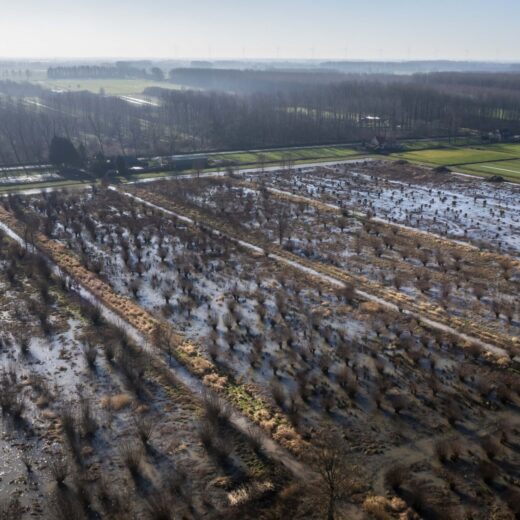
[112, 87]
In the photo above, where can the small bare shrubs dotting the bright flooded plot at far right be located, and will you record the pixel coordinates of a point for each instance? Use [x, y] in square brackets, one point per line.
[433, 209]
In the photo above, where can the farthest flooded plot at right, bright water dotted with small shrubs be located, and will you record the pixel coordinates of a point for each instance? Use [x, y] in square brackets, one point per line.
[482, 213]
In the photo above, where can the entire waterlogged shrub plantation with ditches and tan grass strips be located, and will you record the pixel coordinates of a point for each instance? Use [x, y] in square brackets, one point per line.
[318, 323]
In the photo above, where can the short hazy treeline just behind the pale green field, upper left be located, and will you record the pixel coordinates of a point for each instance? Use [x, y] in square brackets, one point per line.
[119, 71]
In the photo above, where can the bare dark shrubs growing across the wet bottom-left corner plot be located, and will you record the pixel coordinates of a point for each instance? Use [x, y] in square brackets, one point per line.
[140, 479]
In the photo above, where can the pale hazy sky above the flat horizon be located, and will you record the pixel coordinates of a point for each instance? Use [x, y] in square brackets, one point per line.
[354, 29]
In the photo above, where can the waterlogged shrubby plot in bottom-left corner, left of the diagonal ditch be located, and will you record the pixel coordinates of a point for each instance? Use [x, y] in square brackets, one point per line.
[91, 423]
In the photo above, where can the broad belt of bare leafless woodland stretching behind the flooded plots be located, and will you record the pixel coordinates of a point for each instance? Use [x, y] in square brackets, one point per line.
[254, 110]
